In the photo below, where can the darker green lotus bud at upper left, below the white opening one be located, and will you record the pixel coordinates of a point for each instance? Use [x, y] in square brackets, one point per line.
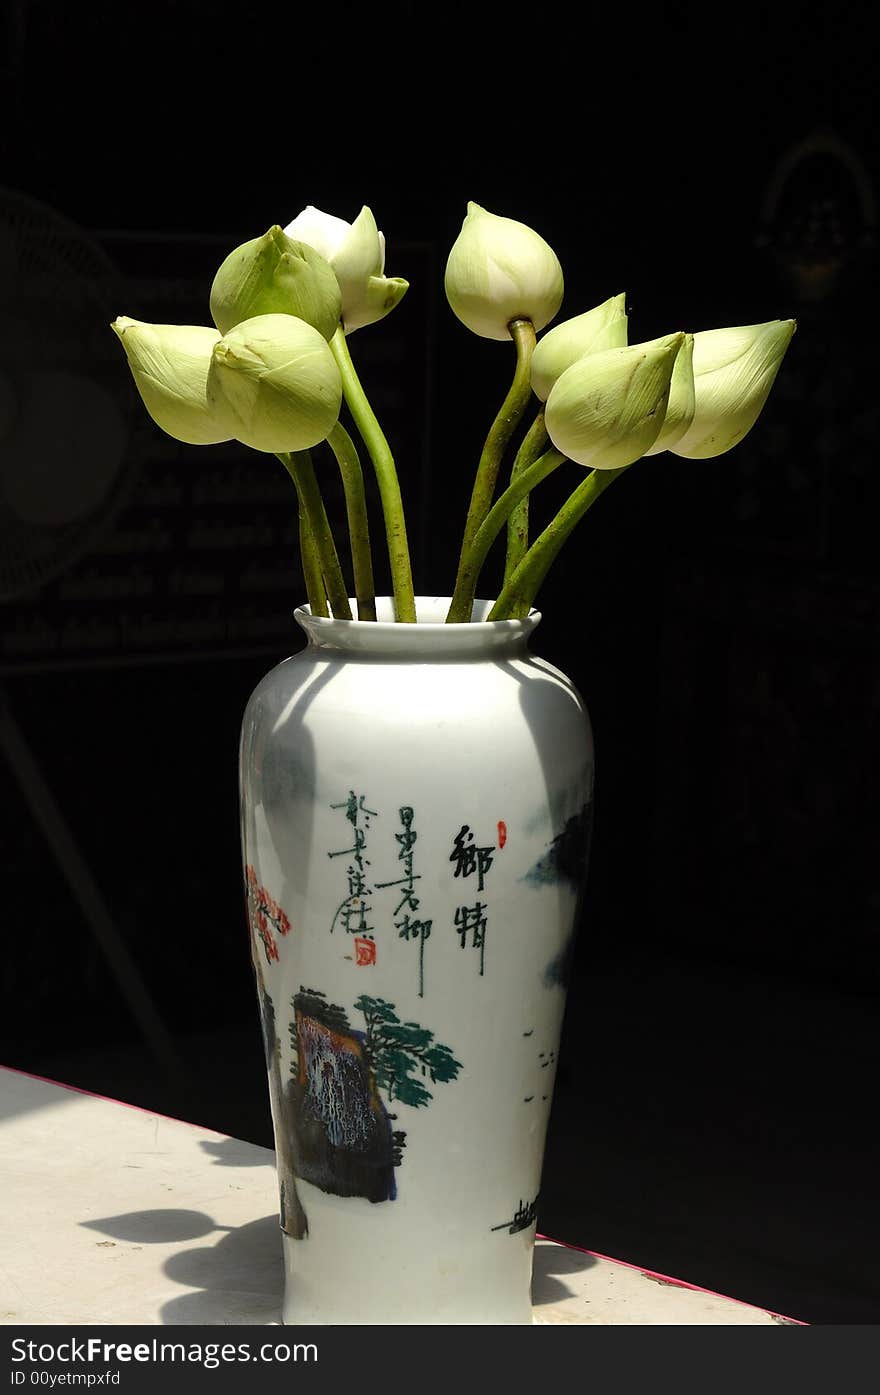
[277, 276]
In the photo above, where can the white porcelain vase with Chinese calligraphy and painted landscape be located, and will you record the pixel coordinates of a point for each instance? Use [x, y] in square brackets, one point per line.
[416, 804]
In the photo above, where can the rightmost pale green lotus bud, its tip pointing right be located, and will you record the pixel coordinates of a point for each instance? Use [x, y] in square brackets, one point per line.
[733, 375]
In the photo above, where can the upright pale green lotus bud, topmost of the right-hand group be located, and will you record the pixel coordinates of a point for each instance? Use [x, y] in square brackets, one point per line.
[499, 271]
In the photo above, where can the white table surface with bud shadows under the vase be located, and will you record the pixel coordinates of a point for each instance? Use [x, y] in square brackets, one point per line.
[112, 1214]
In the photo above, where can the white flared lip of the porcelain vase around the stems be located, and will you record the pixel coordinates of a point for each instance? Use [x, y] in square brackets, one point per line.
[429, 637]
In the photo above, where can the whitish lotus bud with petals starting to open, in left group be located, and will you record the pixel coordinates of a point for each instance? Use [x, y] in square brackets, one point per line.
[356, 252]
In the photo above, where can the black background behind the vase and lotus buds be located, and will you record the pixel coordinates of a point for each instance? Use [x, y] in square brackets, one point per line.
[716, 1107]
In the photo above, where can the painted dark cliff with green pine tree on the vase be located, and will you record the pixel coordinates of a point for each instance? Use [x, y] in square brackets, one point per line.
[344, 1138]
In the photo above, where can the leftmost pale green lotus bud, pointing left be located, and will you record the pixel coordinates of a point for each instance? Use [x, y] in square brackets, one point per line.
[169, 365]
